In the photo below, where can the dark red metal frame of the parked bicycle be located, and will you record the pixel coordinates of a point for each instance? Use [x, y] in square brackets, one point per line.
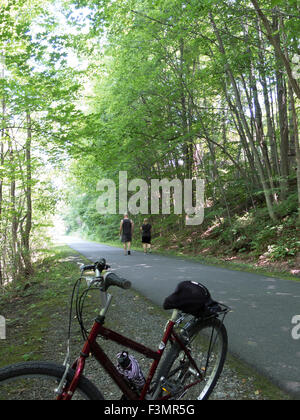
[91, 347]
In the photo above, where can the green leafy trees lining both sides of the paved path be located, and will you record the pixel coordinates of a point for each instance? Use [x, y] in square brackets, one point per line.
[160, 89]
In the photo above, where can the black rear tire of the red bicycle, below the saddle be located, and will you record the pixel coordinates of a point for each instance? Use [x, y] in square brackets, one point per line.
[175, 352]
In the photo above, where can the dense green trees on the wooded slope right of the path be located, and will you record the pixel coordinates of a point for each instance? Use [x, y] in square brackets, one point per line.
[203, 89]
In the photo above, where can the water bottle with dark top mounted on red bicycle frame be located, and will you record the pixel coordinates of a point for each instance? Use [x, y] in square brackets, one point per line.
[130, 369]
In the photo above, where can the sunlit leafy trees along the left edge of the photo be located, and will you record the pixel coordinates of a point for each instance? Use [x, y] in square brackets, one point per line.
[37, 91]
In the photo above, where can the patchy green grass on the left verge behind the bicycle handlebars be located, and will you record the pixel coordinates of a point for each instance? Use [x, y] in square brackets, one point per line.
[30, 311]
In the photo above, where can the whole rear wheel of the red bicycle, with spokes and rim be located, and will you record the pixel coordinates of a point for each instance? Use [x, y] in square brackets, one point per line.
[208, 344]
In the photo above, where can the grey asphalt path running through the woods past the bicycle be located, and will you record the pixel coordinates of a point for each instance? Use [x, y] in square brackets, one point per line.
[260, 323]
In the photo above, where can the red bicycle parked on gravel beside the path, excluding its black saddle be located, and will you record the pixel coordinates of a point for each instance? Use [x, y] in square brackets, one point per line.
[187, 364]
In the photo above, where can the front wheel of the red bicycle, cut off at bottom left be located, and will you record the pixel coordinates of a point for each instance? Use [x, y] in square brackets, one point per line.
[35, 371]
